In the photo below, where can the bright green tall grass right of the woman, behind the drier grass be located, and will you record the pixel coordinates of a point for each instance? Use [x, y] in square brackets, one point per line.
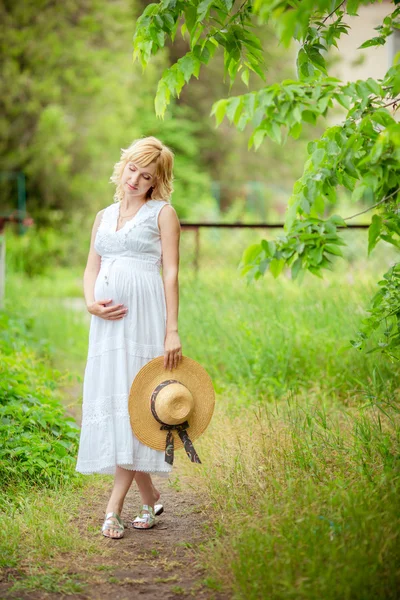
[273, 337]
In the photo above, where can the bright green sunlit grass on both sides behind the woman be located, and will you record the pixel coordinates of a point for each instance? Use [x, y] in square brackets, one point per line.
[262, 339]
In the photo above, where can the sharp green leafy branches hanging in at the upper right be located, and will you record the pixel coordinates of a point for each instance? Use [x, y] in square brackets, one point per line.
[361, 154]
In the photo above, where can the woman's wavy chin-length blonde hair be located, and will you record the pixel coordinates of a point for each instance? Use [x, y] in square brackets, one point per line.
[144, 151]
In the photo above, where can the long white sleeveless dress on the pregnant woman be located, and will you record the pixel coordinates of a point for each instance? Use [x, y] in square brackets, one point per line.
[130, 273]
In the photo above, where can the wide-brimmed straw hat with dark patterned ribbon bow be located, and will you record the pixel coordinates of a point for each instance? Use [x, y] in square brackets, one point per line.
[170, 409]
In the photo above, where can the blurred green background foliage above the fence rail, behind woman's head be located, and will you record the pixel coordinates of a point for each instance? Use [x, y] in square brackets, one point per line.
[72, 98]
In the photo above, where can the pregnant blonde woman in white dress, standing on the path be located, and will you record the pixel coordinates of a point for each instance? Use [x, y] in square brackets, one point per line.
[134, 319]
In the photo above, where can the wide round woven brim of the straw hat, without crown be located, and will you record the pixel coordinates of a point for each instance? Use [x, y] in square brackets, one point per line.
[193, 376]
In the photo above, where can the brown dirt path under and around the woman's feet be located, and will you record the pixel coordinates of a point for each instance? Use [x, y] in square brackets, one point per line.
[155, 564]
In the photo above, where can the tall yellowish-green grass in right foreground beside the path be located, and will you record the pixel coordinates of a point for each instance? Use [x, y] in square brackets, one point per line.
[305, 501]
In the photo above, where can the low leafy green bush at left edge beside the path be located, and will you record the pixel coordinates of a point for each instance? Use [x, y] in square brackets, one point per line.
[38, 443]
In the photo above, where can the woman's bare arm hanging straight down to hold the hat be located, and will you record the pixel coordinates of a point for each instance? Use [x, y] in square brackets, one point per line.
[170, 235]
